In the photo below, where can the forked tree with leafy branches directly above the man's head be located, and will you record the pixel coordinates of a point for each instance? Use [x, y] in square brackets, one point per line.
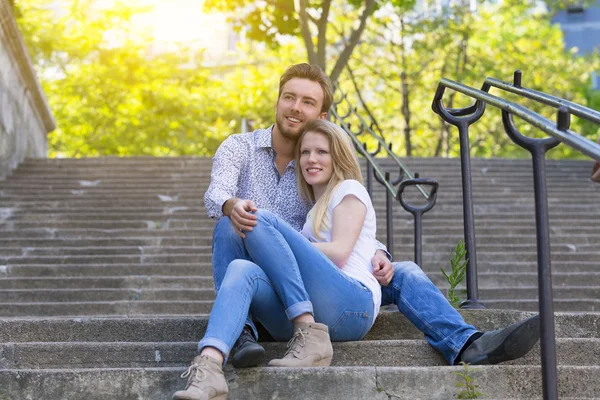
[268, 21]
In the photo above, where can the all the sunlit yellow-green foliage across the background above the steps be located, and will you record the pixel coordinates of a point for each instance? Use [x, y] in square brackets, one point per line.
[113, 95]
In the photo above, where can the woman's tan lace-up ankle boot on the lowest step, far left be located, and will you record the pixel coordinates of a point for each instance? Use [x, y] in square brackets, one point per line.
[206, 381]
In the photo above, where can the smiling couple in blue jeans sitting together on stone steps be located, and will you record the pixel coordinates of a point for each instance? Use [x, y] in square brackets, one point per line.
[295, 249]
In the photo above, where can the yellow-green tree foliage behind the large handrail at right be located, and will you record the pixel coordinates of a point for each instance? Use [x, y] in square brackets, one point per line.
[405, 54]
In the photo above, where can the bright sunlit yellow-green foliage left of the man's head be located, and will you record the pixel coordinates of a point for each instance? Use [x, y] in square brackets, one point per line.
[112, 96]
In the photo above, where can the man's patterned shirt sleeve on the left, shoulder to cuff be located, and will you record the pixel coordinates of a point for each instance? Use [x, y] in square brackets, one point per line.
[224, 177]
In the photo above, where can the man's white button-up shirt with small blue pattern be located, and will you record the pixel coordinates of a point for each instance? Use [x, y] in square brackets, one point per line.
[244, 167]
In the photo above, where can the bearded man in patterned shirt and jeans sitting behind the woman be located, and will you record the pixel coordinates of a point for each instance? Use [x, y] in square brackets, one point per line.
[256, 170]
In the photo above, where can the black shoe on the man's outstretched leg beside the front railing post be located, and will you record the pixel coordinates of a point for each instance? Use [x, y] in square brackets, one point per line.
[505, 344]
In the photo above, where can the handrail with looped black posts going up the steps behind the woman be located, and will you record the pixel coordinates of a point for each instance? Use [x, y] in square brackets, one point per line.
[383, 177]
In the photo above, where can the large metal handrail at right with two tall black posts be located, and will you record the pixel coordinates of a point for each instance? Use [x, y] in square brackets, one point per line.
[559, 132]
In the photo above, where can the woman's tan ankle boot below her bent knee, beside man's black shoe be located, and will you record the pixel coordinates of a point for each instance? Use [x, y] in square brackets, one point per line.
[309, 347]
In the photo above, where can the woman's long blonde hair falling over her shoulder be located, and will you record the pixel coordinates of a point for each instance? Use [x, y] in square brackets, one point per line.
[345, 166]
